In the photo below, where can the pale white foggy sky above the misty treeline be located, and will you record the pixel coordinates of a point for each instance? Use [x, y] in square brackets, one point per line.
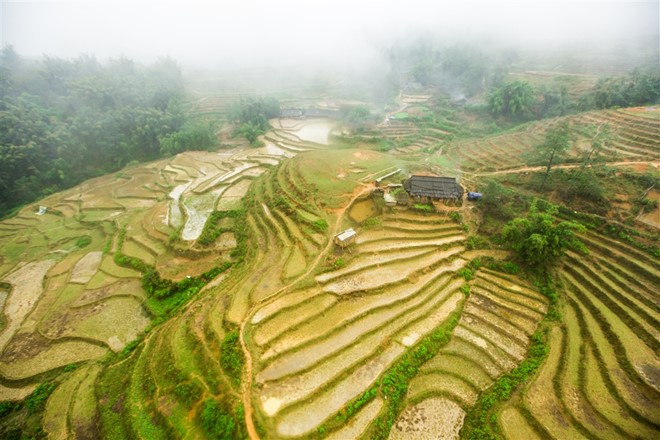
[205, 33]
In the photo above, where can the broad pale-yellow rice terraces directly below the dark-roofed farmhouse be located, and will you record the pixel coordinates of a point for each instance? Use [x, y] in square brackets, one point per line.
[343, 338]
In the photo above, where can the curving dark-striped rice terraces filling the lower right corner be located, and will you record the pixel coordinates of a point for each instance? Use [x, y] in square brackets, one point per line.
[601, 379]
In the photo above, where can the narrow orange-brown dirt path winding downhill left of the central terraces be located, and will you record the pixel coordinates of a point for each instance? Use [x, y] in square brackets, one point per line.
[246, 382]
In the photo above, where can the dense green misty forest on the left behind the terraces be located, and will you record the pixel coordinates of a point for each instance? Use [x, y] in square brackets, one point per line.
[63, 121]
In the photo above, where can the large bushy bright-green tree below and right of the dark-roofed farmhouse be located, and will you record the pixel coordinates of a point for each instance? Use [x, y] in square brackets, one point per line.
[538, 238]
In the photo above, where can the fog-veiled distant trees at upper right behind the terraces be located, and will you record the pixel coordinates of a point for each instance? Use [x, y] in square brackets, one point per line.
[465, 71]
